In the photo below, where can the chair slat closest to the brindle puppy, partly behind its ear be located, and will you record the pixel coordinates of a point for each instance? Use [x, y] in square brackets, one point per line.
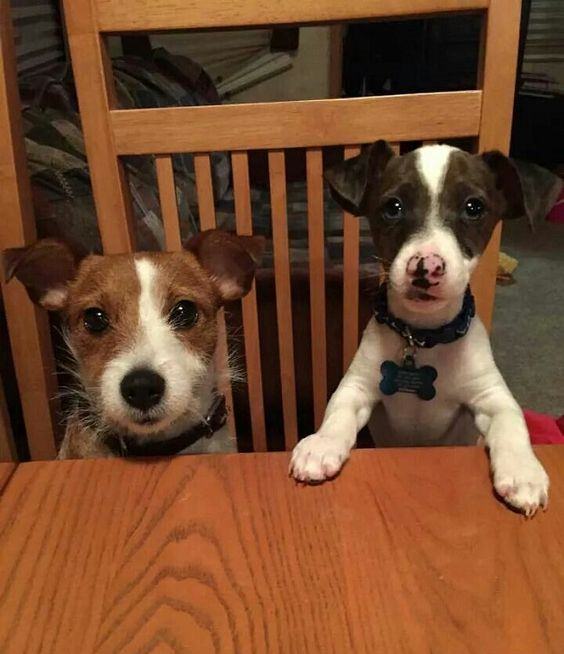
[351, 251]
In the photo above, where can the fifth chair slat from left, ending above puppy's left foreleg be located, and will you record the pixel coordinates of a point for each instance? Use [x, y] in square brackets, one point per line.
[316, 238]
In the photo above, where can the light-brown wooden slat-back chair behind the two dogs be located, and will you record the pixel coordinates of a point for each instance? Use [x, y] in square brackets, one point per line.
[110, 133]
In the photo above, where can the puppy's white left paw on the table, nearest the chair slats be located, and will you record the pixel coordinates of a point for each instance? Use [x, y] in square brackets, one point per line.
[317, 458]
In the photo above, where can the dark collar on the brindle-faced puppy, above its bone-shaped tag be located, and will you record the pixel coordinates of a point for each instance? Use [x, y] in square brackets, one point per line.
[426, 338]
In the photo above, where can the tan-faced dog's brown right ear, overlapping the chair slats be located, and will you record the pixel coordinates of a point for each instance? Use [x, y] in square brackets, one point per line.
[229, 259]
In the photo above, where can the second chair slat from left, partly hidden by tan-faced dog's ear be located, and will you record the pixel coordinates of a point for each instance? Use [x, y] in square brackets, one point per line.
[206, 211]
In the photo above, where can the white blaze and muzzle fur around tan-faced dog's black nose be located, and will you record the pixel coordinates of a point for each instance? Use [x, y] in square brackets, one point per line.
[154, 345]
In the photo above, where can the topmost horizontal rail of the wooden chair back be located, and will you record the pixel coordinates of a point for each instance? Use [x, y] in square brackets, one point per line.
[144, 15]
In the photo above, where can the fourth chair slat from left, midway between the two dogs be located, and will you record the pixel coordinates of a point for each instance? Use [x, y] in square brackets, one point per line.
[277, 171]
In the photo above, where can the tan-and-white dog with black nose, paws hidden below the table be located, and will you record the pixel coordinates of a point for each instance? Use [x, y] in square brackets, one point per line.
[142, 330]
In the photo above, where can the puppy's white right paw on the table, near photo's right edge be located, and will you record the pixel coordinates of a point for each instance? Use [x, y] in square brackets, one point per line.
[521, 481]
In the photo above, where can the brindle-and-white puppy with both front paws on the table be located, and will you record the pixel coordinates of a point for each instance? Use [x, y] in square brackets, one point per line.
[431, 214]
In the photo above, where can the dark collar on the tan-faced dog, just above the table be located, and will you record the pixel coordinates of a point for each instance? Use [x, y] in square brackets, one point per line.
[214, 421]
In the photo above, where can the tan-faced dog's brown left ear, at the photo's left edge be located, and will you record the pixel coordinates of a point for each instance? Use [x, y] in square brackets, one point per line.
[44, 268]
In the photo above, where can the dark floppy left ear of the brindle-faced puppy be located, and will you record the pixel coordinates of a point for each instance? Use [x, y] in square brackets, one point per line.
[350, 180]
